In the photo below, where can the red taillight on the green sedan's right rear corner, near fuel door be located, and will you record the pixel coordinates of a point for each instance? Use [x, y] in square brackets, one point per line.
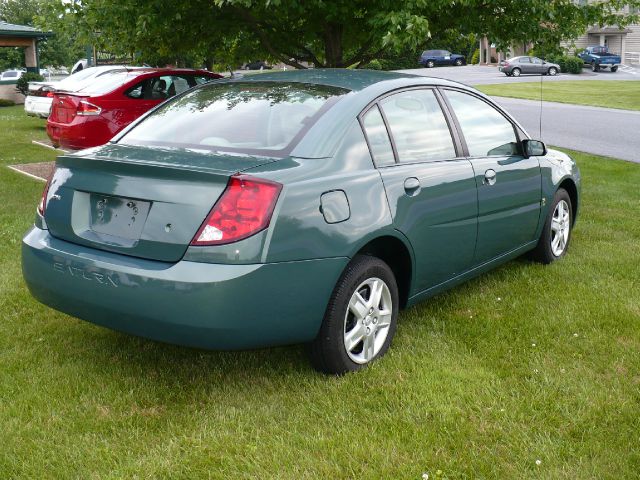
[244, 209]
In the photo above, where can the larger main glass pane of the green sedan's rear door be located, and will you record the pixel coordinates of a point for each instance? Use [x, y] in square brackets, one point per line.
[418, 126]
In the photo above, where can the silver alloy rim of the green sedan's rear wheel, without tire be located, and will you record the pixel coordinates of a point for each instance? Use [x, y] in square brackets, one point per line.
[367, 320]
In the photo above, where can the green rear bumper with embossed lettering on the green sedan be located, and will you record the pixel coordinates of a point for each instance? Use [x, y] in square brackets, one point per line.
[212, 306]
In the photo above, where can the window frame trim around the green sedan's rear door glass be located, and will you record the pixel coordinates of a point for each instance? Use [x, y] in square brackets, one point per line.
[457, 145]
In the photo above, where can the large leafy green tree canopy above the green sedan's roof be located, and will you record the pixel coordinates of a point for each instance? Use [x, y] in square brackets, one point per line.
[325, 33]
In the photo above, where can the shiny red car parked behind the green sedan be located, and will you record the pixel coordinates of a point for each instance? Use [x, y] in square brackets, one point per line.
[93, 115]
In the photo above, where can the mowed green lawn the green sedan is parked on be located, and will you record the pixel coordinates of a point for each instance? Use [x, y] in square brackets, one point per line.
[526, 372]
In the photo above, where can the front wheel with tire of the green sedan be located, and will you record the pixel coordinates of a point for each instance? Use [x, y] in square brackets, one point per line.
[556, 233]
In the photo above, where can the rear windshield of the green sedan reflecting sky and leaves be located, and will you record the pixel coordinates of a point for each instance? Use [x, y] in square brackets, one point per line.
[250, 117]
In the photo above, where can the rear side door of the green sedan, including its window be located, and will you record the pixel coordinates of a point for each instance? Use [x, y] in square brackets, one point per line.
[431, 190]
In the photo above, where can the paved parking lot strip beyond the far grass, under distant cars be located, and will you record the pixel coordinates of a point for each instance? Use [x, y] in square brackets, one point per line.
[482, 75]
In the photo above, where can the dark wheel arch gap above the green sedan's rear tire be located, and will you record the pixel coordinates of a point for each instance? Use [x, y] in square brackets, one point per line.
[397, 253]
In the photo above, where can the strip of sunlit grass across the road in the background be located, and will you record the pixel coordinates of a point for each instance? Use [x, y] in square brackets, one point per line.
[597, 93]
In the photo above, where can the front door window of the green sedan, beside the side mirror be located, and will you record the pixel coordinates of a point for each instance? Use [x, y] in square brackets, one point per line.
[486, 131]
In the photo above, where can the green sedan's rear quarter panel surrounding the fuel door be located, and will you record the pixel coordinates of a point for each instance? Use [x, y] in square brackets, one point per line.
[299, 230]
